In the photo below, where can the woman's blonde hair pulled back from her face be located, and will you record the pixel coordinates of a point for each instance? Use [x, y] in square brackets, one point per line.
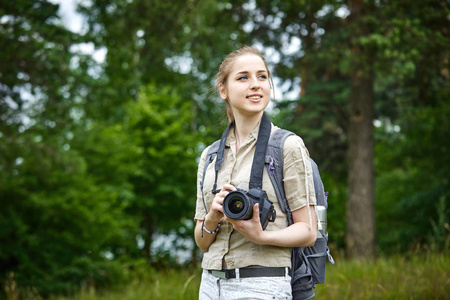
[227, 65]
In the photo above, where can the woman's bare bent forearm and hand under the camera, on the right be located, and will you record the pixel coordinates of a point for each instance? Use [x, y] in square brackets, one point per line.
[298, 234]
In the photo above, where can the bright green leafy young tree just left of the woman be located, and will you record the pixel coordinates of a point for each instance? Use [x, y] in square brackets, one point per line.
[160, 126]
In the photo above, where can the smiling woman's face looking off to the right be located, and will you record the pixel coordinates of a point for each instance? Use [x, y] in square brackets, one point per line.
[247, 88]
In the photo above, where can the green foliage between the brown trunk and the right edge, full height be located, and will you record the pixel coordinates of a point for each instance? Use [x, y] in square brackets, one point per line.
[411, 160]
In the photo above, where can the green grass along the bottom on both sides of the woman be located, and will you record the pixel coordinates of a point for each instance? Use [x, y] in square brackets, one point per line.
[425, 276]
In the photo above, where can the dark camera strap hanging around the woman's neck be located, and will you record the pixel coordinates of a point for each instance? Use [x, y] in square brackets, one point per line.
[256, 174]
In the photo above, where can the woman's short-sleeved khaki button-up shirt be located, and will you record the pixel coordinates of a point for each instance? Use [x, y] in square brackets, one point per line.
[230, 245]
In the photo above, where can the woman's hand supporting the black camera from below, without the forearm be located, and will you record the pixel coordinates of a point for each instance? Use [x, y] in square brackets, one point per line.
[250, 229]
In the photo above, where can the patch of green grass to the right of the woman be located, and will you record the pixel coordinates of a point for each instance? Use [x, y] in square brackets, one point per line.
[399, 277]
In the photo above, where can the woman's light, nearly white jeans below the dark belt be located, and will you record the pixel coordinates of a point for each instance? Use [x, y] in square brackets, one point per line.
[264, 288]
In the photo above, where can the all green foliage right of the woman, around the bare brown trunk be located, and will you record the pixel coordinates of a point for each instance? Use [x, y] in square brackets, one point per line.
[405, 44]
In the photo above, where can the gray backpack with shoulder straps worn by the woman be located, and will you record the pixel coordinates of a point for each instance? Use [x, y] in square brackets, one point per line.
[308, 263]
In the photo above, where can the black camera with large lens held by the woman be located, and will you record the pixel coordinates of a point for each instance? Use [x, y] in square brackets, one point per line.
[239, 205]
